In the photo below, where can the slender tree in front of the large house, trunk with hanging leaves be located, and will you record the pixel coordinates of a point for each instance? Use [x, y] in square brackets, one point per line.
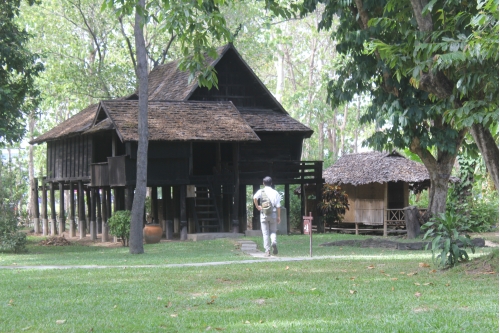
[197, 25]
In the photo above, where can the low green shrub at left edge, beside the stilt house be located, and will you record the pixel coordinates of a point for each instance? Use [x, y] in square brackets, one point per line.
[11, 239]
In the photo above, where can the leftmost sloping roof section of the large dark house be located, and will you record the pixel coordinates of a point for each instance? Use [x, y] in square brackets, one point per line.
[77, 124]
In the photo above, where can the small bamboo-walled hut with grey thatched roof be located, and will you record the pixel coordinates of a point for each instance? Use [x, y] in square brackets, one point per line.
[378, 186]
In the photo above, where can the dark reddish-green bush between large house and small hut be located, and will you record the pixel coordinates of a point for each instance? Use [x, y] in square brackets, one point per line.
[334, 204]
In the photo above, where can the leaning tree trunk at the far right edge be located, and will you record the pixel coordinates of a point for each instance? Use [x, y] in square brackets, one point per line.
[488, 148]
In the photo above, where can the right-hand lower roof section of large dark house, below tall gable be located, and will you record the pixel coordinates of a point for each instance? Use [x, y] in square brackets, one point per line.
[266, 120]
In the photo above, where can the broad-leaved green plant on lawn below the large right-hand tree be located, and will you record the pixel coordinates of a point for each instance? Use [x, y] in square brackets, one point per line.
[447, 235]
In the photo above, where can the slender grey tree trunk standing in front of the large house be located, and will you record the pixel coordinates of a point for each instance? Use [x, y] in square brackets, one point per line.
[136, 225]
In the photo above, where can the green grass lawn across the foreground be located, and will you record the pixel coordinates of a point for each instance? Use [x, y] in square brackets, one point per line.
[360, 290]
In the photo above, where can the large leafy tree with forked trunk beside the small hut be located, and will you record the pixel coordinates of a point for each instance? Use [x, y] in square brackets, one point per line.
[406, 114]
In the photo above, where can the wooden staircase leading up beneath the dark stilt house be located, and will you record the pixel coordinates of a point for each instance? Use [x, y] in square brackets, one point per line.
[206, 214]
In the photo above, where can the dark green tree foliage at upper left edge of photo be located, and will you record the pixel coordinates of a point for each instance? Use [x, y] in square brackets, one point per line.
[18, 69]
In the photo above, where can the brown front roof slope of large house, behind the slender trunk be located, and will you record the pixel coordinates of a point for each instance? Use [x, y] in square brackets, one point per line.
[180, 121]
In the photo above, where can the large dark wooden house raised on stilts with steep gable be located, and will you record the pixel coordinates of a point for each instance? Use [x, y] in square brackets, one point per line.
[205, 147]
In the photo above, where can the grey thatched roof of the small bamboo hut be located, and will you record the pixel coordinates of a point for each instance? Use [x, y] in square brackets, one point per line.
[375, 167]
